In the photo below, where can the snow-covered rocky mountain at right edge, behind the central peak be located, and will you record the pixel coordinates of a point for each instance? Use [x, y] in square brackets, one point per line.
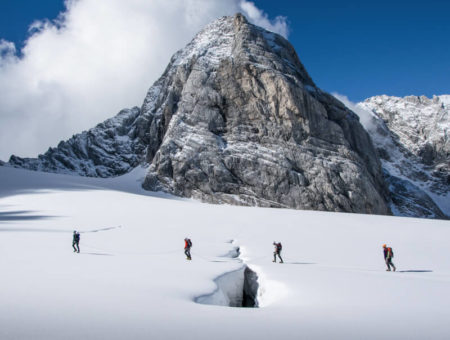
[411, 135]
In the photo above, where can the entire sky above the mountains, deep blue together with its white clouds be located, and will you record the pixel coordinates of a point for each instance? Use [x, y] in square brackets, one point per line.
[103, 55]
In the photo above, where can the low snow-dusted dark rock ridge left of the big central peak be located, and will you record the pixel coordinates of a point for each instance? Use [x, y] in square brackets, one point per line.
[112, 148]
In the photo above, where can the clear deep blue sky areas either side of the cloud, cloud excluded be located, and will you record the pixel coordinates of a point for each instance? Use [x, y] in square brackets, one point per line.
[356, 48]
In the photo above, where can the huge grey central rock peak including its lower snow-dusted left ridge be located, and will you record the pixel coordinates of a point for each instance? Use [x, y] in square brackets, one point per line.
[235, 118]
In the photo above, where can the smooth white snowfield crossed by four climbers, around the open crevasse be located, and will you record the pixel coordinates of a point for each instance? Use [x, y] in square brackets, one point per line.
[131, 280]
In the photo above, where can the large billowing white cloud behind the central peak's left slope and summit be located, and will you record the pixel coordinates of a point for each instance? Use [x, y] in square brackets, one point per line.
[96, 58]
